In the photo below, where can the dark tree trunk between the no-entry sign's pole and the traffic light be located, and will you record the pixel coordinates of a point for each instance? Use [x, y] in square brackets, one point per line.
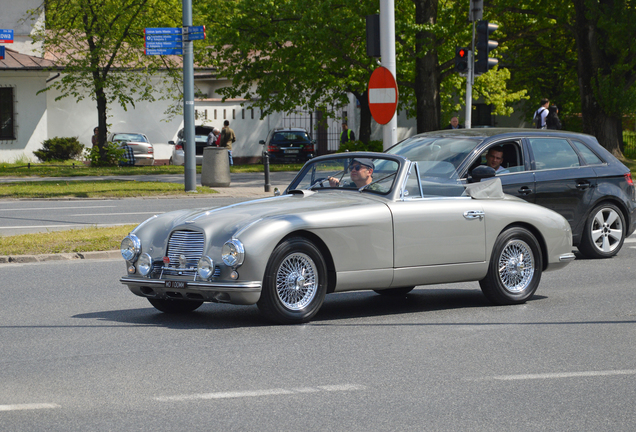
[427, 79]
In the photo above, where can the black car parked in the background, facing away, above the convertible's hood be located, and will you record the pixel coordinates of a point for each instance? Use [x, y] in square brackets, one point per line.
[288, 145]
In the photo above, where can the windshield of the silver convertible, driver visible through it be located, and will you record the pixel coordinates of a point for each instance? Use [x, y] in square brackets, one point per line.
[351, 173]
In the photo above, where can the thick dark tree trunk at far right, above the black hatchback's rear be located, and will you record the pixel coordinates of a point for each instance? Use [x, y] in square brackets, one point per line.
[605, 127]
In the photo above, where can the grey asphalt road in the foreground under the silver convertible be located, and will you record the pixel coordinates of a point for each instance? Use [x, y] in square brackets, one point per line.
[79, 352]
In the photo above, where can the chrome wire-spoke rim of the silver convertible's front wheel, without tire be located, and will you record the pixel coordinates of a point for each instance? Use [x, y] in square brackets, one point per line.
[297, 281]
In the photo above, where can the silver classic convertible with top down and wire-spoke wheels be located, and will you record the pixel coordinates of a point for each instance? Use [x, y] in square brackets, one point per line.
[349, 221]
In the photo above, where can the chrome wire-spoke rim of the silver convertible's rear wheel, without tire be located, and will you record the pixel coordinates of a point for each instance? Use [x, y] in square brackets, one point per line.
[516, 266]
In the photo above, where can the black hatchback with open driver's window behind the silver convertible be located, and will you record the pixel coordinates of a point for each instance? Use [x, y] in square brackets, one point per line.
[570, 173]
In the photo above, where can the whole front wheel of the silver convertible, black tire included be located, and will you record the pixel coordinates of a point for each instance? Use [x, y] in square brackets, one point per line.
[295, 282]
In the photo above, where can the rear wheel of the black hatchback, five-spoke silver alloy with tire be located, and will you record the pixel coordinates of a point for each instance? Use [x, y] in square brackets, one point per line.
[604, 232]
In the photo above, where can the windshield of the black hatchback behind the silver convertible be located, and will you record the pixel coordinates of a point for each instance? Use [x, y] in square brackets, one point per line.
[438, 157]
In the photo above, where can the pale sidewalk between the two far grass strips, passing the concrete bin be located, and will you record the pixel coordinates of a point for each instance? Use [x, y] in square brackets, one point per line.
[242, 185]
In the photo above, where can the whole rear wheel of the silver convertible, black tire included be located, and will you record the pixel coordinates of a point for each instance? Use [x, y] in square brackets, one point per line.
[515, 268]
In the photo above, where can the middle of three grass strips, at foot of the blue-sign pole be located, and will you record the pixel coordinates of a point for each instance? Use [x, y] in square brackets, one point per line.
[97, 189]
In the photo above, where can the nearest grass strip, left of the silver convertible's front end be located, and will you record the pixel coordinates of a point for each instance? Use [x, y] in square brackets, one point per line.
[68, 241]
